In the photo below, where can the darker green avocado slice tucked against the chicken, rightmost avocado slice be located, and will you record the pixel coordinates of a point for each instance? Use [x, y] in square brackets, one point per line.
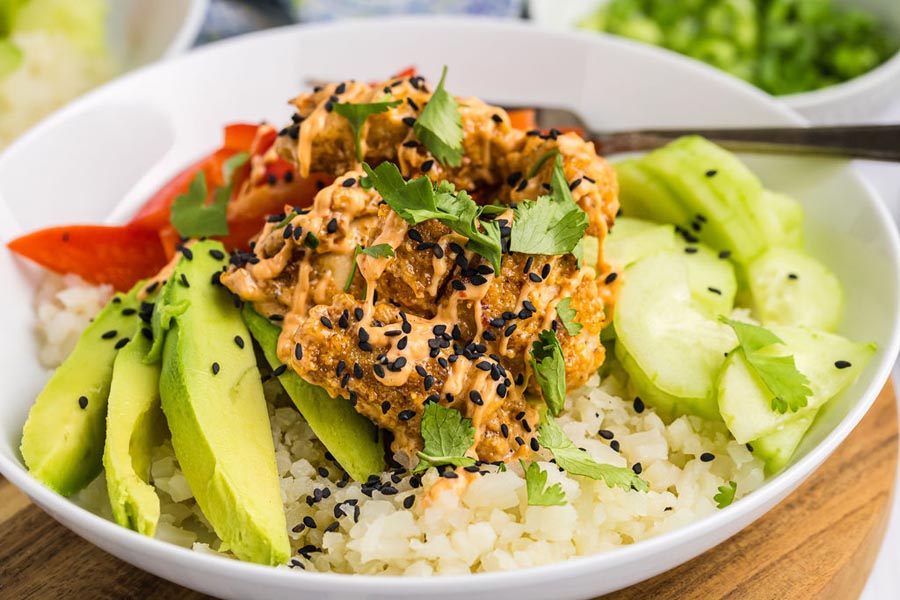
[350, 437]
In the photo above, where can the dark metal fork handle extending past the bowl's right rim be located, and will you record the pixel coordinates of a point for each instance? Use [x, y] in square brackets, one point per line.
[876, 142]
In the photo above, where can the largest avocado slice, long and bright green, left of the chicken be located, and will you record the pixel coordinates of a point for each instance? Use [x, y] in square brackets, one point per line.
[213, 401]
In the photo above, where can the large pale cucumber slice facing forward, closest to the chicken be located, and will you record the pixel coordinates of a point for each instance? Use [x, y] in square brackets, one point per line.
[667, 342]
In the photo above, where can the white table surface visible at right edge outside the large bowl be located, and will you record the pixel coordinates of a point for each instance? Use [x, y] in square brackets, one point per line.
[884, 583]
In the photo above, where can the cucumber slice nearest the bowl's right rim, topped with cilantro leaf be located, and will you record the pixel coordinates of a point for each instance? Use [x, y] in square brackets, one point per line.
[745, 403]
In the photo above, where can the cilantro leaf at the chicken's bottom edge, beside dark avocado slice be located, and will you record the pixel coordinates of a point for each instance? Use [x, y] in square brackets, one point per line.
[447, 437]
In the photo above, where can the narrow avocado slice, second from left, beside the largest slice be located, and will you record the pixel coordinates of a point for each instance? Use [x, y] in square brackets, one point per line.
[134, 426]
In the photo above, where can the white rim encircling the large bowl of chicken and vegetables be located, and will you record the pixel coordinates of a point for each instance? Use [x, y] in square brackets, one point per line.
[775, 487]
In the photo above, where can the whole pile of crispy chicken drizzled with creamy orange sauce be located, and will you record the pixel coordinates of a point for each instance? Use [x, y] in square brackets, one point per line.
[434, 322]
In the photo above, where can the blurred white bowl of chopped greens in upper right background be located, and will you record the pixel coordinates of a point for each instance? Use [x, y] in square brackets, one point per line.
[854, 101]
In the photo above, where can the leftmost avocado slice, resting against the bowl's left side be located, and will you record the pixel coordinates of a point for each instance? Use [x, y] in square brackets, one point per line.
[62, 441]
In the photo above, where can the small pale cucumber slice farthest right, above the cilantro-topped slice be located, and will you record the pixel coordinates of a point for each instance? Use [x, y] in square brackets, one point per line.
[790, 288]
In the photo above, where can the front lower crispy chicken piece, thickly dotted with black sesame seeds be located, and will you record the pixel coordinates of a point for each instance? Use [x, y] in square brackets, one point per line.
[390, 364]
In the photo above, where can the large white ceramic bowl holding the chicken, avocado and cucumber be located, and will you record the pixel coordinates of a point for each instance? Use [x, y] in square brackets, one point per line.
[102, 155]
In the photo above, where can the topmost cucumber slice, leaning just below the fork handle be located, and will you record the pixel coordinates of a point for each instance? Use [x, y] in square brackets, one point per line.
[716, 202]
